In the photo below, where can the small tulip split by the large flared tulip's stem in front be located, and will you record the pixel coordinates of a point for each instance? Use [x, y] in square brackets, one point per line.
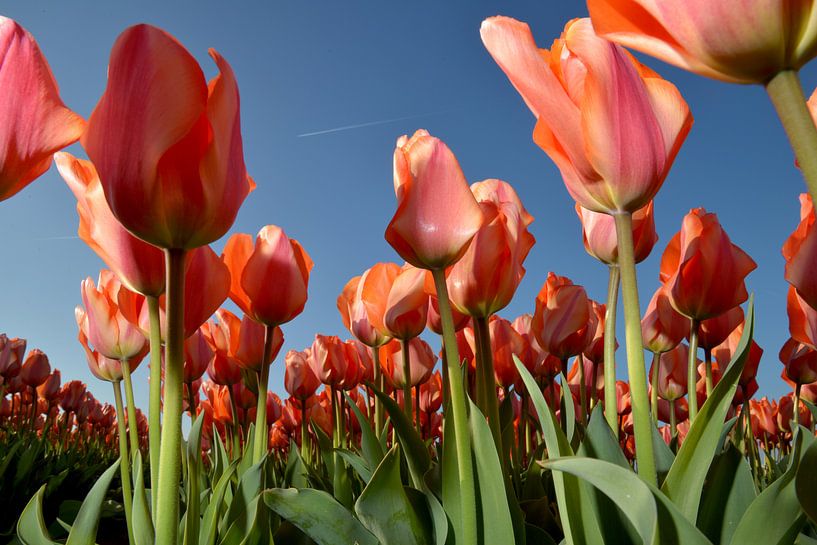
[599, 234]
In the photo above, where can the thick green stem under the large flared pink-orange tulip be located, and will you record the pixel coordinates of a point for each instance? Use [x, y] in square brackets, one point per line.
[635, 348]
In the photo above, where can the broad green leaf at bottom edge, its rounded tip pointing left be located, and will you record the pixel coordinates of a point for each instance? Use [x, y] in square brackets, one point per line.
[319, 516]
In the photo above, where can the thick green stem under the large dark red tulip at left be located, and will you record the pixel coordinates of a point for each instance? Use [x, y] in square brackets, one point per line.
[167, 522]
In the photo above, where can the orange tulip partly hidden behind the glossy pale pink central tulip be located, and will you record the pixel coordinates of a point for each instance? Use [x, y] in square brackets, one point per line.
[485, 279]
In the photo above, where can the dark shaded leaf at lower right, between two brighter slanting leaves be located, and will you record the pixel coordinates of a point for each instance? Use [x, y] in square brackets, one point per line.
[729, 492]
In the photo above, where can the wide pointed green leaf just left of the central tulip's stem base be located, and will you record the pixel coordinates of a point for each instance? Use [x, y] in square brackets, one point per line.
[384, 508]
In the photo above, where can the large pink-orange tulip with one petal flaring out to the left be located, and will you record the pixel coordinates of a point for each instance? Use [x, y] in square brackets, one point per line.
[611, 125]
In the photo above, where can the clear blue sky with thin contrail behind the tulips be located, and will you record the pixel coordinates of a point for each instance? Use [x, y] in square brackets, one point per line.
[306, 67]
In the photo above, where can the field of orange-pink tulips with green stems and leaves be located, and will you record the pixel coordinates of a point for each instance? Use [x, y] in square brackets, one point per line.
[437, 418]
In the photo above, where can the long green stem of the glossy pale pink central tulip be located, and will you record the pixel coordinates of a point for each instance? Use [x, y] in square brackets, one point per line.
[459, 414]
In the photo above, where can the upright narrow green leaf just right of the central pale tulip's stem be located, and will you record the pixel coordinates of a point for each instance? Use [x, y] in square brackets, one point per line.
[497, 525]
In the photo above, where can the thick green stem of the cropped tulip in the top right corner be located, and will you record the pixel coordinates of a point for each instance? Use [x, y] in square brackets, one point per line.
[787, 96]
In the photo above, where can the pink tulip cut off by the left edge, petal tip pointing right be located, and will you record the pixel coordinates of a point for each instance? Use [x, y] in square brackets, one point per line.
[35, 123]
